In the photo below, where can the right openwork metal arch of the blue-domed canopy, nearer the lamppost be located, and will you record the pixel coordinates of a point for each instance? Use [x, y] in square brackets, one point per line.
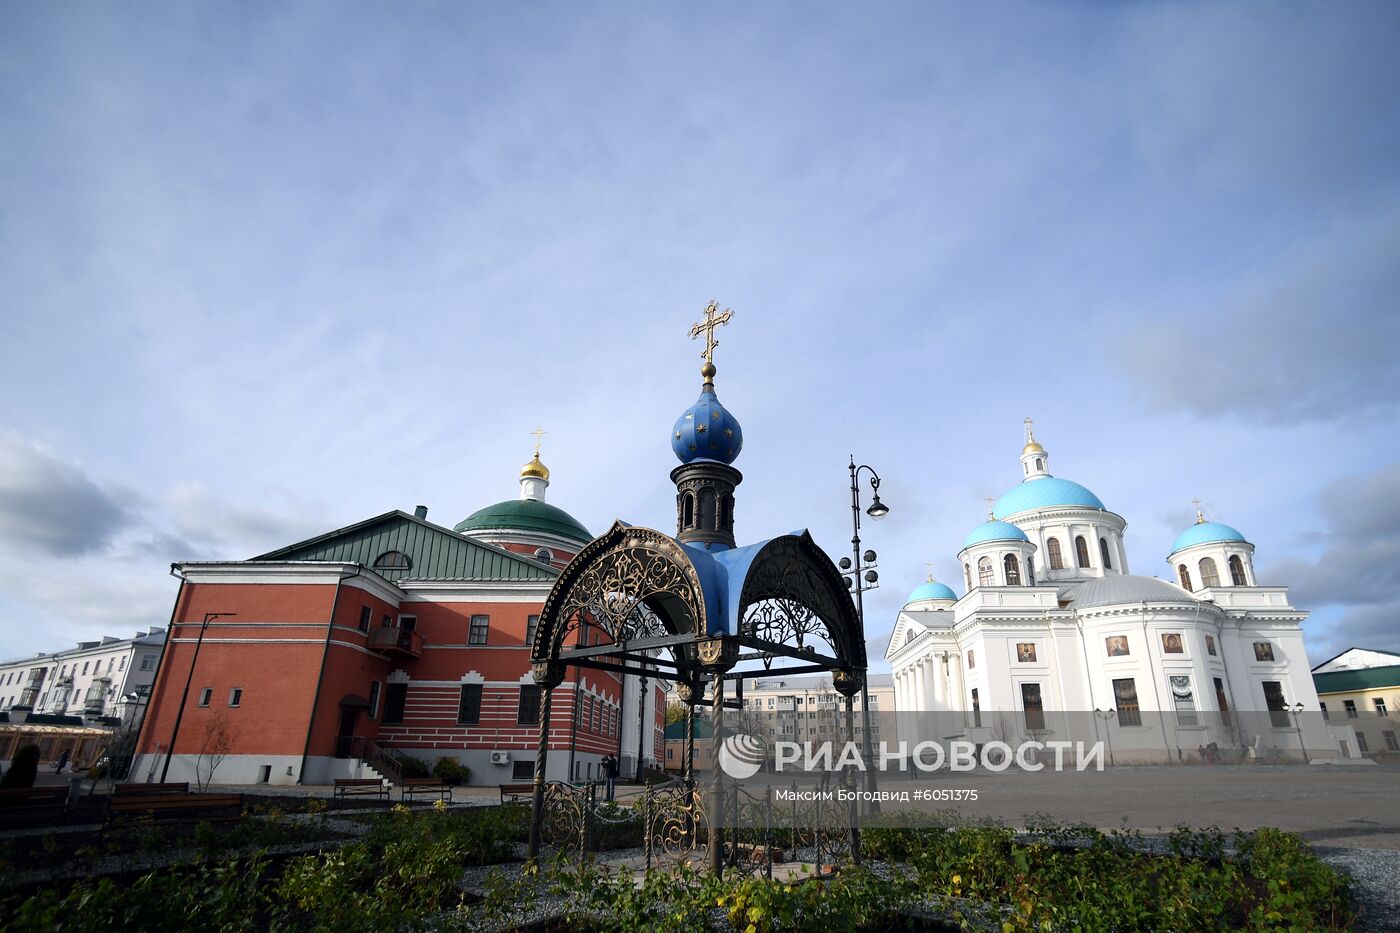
[792, 593]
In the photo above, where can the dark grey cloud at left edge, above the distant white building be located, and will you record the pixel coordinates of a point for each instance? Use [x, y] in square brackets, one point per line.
[54, 506]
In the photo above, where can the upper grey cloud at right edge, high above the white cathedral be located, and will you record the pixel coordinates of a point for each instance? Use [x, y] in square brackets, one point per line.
[1311, 338]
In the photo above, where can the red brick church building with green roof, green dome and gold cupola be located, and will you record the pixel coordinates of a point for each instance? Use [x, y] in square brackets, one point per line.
[395, 637]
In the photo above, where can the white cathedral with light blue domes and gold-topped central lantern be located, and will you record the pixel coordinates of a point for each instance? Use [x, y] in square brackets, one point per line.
[1053, 628]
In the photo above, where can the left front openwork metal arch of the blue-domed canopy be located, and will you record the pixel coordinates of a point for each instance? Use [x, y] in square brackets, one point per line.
[633, 585]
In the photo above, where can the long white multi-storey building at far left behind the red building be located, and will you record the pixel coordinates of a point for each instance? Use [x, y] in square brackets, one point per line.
[107, 680]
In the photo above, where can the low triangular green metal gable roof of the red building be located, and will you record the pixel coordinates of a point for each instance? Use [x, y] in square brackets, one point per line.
[433, 553]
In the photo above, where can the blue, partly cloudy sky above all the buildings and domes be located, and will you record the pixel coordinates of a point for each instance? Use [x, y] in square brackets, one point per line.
[268, 270]
